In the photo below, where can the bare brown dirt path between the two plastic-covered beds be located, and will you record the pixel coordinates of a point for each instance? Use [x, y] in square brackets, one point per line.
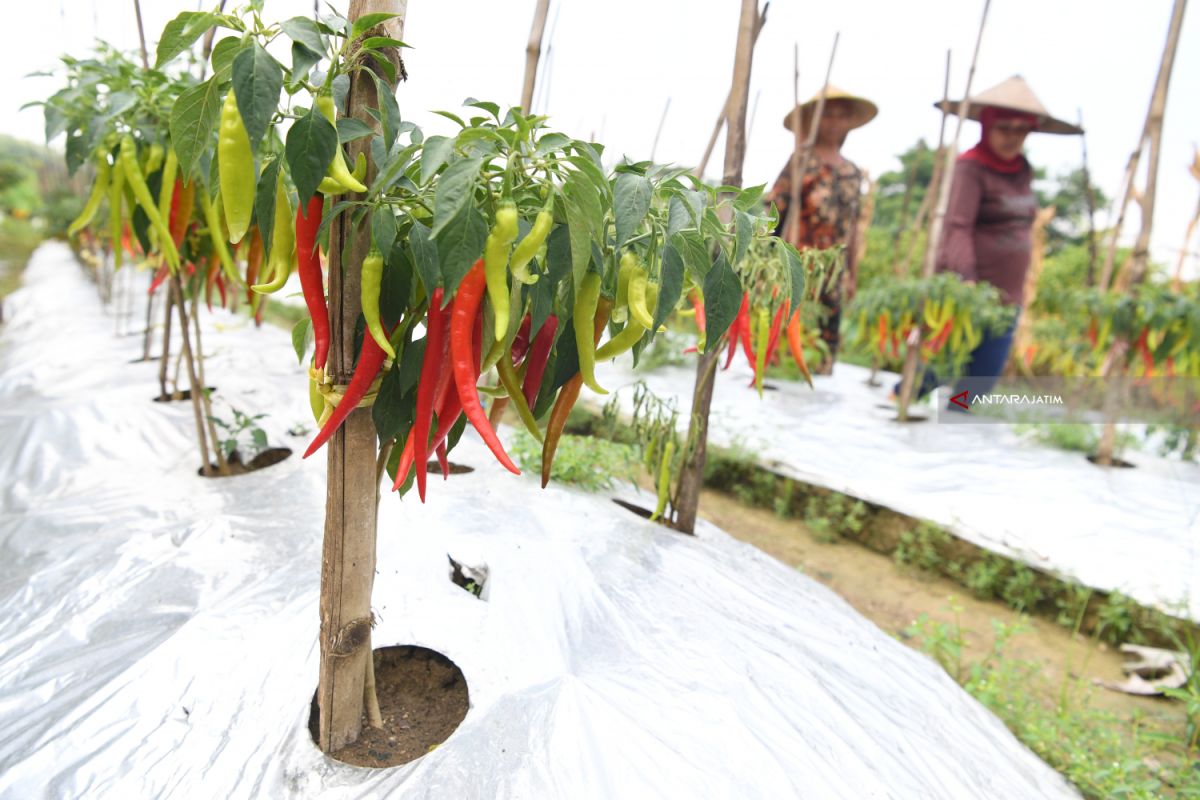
[893, 598]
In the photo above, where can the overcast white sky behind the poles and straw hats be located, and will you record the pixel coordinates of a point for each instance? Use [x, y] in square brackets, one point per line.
[614, 67]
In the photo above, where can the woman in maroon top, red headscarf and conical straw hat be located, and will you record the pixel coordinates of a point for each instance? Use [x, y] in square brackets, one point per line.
[989, 219]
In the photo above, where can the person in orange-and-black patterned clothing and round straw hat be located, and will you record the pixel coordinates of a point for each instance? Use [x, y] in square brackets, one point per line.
[830, 199]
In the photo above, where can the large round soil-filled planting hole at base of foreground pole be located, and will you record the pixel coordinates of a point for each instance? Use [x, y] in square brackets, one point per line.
[423, 700]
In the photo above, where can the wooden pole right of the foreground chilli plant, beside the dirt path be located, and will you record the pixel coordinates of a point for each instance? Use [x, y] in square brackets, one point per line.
[692, 477]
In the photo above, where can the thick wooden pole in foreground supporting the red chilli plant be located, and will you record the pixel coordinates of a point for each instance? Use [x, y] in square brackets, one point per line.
[349, 550]
